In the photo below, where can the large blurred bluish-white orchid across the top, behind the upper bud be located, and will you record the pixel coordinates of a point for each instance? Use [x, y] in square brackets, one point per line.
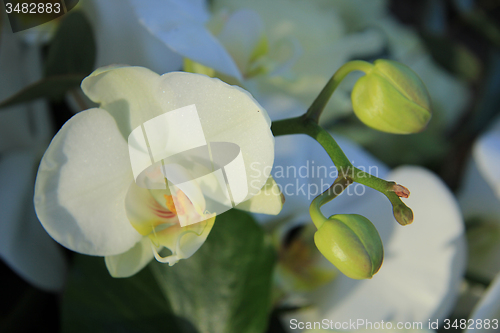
[284, 51]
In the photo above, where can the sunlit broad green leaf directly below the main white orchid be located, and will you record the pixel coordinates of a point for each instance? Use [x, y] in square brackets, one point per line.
[225, 287]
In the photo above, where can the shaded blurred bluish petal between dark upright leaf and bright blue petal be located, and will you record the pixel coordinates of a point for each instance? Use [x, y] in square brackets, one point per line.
[122, 39]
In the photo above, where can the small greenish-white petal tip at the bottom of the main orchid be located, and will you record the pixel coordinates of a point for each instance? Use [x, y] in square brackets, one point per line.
[130, 262]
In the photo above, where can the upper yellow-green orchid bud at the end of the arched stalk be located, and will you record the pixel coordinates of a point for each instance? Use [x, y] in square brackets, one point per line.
[392, 98]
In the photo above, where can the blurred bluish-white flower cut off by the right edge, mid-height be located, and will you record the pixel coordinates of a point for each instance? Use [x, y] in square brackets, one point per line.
[479, 199]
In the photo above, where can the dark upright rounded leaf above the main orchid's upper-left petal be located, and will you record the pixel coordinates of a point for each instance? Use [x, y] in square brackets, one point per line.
[73, 48]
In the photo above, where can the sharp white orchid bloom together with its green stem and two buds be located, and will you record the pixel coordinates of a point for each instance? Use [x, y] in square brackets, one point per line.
[135, 207]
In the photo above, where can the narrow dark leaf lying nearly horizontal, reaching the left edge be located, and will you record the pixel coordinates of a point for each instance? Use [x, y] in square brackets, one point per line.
[53, 87]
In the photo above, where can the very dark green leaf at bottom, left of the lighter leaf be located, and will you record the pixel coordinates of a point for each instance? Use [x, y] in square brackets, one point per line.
[96, 302]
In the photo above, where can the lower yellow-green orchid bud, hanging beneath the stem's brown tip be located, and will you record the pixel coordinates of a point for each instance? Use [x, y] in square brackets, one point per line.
[352, 243]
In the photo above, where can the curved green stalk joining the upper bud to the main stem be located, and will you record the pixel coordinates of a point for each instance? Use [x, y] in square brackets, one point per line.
[314, 112]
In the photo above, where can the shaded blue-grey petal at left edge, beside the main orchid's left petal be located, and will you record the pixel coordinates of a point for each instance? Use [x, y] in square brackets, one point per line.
[24, 245]
